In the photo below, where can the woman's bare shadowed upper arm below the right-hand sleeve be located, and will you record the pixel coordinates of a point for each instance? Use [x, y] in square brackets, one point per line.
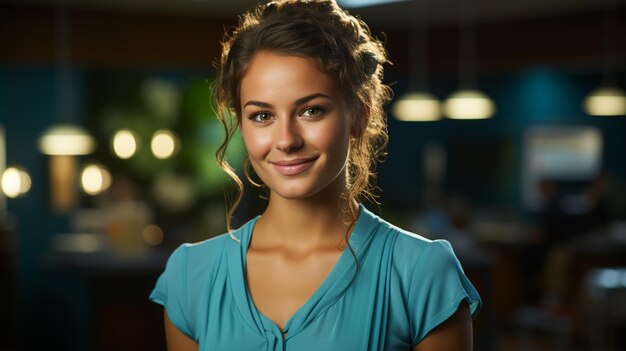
[455, 334]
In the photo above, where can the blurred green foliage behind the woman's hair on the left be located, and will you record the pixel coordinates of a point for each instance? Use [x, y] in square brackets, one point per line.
[144, 105]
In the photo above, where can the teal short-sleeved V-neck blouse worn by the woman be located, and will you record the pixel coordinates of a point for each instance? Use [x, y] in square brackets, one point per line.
[405, 286]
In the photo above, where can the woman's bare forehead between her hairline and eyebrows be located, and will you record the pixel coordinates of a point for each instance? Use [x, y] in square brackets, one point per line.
[276, 78]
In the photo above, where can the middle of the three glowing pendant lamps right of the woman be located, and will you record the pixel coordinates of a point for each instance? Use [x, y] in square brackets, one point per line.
[469, 104]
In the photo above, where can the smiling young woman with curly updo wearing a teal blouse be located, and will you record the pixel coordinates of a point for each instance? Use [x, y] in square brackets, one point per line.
[302, 81]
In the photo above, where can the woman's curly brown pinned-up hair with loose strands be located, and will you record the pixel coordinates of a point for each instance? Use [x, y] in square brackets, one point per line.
[344, 48]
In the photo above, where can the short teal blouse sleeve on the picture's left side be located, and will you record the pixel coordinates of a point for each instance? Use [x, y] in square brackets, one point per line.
[171, 290]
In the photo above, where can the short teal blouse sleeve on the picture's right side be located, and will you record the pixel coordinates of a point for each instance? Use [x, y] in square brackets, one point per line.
[437, 288]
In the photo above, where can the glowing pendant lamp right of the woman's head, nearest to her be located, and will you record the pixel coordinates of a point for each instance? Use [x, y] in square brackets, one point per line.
[418, 106]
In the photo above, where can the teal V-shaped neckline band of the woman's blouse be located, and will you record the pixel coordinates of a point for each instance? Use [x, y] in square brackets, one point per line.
[330, 290]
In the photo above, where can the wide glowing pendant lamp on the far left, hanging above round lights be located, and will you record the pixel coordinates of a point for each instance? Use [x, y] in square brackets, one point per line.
[66, 139]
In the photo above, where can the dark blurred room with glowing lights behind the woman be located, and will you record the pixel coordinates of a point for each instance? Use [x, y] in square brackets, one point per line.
[507, 137]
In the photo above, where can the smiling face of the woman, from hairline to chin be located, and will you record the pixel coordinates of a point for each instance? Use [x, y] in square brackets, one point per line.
[295, 125]
